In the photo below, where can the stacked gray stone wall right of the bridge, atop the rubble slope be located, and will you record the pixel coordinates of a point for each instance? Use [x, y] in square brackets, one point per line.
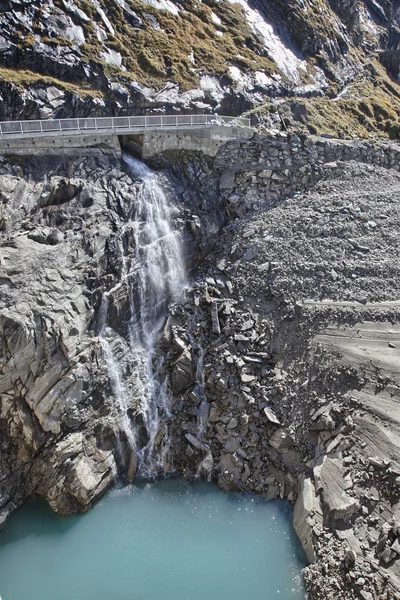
[254, 171]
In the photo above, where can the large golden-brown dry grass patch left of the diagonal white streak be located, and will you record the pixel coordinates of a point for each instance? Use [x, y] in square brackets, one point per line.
[154, 56]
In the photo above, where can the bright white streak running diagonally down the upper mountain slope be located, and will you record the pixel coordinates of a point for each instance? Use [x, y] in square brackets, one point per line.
[287, 59]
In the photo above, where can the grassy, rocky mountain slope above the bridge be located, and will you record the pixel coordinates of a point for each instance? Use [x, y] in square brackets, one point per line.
[79, 57]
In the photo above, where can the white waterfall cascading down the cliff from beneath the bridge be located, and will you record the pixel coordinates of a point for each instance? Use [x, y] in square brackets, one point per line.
[154, 276]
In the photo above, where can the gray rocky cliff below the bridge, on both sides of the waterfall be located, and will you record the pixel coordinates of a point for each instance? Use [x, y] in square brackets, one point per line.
[281, 361]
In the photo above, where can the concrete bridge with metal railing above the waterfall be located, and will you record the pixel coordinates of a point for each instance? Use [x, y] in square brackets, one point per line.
[145, 135]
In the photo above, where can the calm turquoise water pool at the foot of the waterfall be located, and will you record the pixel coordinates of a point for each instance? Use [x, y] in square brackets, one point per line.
[167, 540]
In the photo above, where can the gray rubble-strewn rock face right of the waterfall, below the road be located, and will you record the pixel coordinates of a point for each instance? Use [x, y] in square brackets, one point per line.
[303, 372]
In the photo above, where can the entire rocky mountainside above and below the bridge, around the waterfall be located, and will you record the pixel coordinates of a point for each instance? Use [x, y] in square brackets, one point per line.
[280, 362]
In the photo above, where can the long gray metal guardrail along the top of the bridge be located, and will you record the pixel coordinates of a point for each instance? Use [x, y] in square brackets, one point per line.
[91, 124]
